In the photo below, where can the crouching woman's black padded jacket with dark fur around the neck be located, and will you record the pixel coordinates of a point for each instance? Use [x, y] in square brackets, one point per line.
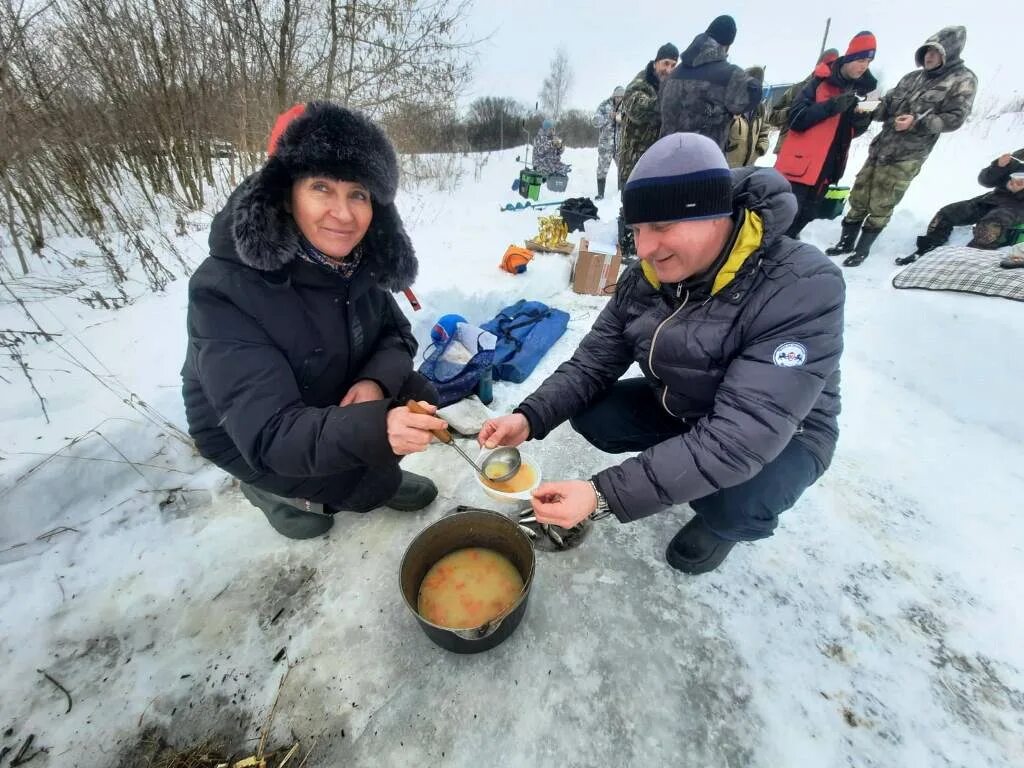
[276, 342]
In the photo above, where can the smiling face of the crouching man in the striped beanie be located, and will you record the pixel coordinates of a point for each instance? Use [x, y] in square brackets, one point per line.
[679, 250]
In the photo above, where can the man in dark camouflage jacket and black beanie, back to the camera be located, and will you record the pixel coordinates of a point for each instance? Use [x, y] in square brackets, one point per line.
[704, 94]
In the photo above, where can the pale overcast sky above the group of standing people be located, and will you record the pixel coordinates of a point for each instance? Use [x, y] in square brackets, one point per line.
[610, 42]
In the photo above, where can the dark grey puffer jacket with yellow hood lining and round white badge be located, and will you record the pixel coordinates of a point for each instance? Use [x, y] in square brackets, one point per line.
[746, 362]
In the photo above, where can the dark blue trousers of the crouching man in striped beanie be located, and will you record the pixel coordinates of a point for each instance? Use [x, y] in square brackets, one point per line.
[629, 418]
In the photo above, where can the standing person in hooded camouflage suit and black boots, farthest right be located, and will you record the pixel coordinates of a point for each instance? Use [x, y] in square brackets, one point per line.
[935, 99]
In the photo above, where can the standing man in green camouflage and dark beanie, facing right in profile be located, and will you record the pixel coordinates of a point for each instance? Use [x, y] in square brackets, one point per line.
[642, 115]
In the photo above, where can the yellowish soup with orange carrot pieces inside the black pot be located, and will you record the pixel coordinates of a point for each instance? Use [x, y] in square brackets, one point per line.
[468, 588]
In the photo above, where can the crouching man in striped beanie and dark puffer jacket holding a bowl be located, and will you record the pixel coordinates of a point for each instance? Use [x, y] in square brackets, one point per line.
[739, 332]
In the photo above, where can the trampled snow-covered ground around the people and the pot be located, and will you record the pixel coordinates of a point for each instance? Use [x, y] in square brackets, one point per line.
[880, 627]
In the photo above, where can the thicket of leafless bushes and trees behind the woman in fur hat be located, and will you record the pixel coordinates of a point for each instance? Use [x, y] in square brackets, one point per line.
[118, 108]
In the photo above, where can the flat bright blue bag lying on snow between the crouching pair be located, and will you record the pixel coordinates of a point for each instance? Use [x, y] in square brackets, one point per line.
[526, 332]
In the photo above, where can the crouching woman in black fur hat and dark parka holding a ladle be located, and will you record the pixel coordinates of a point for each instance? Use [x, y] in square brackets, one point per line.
[300, 358]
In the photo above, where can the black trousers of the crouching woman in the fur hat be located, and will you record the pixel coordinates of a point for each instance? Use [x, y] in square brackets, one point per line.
[354, 491]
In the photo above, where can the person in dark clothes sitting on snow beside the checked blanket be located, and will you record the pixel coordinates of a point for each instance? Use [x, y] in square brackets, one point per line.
[996, 216]
